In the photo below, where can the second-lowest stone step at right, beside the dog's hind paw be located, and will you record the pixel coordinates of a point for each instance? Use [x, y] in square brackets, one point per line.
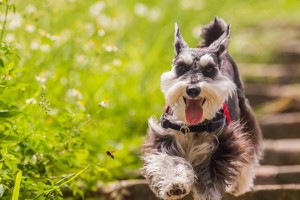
[267, 174]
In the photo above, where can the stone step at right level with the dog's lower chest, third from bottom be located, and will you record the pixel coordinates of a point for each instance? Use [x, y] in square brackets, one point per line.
[281, 152]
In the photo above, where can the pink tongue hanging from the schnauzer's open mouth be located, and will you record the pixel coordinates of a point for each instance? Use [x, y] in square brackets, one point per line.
[193, 111]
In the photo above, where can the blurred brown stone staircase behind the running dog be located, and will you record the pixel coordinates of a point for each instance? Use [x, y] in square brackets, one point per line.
[274, 92]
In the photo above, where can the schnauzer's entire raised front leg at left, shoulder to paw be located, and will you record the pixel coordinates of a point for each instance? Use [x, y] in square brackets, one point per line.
[170, 176]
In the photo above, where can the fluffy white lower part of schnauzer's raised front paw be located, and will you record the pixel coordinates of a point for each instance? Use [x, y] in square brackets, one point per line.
[170, 177]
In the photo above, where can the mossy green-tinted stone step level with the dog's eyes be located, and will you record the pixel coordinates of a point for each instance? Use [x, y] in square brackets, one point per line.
[270, 73]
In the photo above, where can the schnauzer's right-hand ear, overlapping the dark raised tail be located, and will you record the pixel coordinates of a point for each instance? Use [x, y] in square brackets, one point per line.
[220, 45]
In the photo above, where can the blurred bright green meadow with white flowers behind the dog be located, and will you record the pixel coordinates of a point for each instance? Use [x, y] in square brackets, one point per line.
[86, 79]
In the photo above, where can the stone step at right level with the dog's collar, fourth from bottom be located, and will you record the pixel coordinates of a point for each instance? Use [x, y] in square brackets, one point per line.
[281, 126]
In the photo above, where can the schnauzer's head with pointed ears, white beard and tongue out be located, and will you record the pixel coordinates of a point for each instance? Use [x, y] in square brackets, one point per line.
[195, 87]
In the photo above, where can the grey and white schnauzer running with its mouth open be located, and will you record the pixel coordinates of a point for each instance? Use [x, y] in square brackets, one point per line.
[208, 141]
